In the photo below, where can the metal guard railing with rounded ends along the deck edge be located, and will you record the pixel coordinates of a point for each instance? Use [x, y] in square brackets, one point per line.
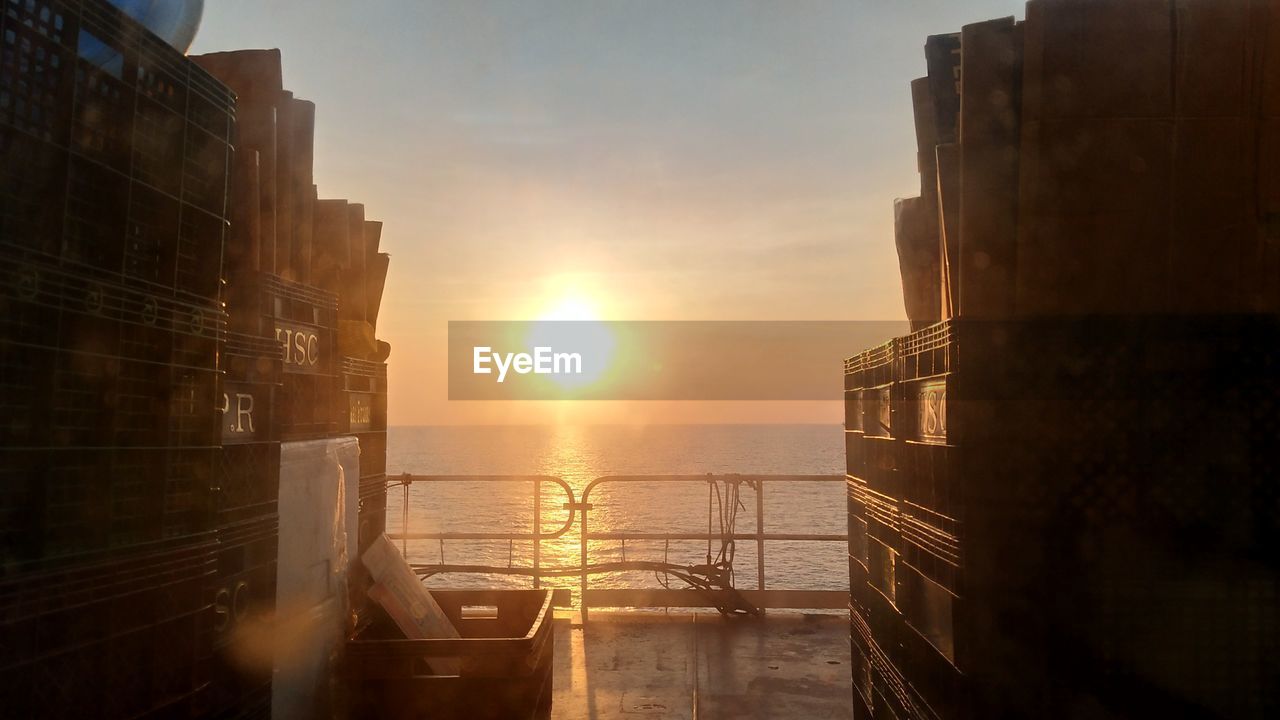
[761, 598]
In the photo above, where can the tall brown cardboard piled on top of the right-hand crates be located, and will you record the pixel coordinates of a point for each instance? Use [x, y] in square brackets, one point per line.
[1069, 176]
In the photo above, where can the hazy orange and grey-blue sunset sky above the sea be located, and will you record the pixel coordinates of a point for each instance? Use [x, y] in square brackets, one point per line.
[625, 161]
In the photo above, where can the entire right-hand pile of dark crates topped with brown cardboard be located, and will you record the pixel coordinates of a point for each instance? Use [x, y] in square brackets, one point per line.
[1073, 493]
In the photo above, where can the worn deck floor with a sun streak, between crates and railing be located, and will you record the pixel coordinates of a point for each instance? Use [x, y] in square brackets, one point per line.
[651, 667]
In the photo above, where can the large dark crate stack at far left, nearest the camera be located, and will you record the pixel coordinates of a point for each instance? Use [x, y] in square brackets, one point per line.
[113, 193]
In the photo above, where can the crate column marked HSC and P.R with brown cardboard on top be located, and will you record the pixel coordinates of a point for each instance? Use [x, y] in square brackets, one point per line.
[280, 366]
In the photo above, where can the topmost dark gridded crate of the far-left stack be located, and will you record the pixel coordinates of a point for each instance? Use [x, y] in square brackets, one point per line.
[116, 151]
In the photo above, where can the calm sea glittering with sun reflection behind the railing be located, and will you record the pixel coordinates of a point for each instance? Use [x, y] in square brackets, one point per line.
[579, 455]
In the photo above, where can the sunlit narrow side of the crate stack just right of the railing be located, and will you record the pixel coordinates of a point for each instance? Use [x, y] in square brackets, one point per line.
[904, 528]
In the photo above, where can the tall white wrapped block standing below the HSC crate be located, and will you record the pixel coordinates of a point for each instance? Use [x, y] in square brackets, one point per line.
[319, 493]
